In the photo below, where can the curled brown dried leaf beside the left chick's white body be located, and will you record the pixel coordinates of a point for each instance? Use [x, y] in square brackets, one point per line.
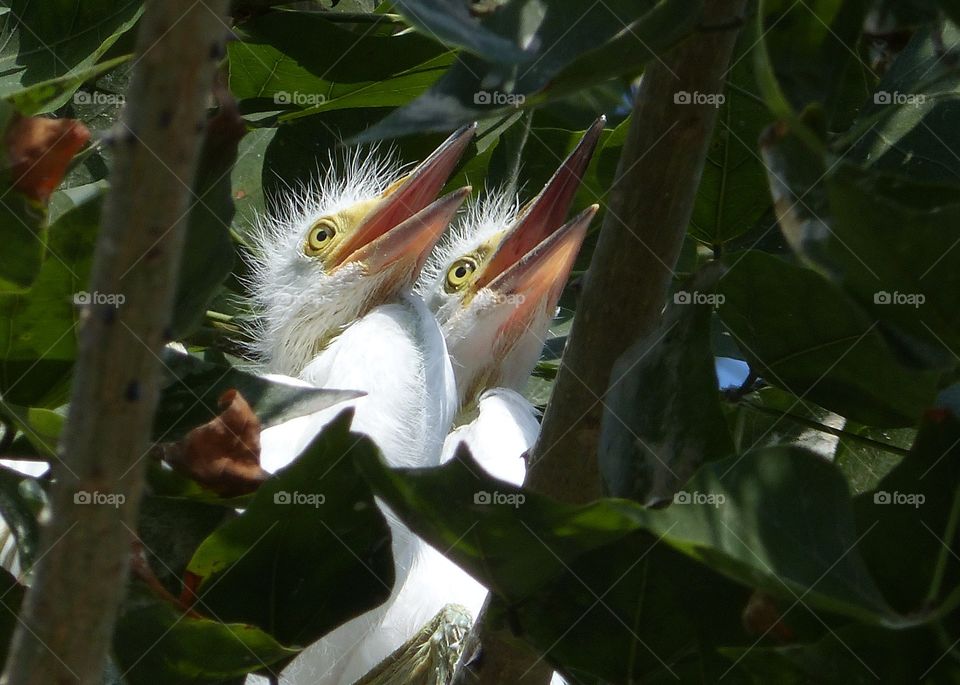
[224, 454]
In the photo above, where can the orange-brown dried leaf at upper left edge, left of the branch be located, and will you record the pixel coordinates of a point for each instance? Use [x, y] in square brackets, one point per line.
[39, 151]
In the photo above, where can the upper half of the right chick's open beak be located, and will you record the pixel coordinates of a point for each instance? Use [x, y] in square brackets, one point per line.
[542, 215]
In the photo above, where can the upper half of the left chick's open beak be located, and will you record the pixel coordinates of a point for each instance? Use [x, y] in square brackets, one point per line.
[406, 197]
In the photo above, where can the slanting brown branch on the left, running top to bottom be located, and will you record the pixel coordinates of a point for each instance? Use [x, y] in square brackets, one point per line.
[68, 615]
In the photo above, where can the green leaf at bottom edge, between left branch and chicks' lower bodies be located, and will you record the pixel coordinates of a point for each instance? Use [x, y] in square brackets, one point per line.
[156, 643]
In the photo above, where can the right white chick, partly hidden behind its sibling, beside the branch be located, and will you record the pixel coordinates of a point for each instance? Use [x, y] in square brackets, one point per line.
[494, 287]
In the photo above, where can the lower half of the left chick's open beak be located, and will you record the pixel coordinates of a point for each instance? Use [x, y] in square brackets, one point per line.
[412, 240]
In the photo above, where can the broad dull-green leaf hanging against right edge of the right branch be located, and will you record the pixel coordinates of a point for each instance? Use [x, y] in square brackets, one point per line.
[662, 416]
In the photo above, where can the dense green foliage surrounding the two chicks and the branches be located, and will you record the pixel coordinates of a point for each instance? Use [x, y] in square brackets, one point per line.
[818, 538]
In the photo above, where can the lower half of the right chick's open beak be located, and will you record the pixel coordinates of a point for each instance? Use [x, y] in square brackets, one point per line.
[539, 276]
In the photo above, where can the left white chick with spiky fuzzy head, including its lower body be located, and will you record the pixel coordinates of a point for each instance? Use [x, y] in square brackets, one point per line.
[332, 284]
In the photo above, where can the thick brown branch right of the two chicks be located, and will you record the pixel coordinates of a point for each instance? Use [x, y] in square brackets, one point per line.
[650, 207]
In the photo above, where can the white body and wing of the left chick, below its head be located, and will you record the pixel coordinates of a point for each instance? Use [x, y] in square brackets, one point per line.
[397, 355]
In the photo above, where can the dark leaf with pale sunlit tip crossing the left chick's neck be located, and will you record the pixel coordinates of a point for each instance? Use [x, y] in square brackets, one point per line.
[190, 394]
